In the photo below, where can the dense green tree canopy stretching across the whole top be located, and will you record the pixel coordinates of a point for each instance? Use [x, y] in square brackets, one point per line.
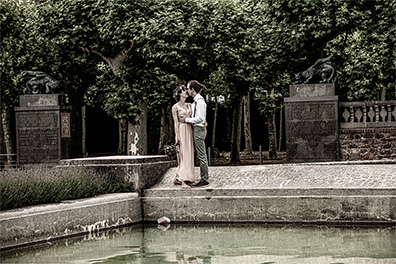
[117, 54]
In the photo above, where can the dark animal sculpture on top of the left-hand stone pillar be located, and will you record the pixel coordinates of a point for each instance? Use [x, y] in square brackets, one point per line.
[38, 82]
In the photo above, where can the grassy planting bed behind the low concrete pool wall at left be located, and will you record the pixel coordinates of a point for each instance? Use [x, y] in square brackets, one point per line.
[32, 186]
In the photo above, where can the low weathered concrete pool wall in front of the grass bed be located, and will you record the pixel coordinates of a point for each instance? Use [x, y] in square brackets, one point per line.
[54, 221]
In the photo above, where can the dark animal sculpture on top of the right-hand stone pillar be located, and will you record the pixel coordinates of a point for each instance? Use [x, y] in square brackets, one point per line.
[322, 71]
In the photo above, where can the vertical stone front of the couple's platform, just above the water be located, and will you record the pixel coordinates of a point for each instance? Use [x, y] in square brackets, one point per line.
[286, 209]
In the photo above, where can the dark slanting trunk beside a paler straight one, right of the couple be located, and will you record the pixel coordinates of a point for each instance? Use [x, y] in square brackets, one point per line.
[236, 131]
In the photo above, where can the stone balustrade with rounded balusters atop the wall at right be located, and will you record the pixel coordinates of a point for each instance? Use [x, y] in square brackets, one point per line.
[367, 114]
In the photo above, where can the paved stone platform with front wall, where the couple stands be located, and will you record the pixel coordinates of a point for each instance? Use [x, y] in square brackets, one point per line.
[315, 193]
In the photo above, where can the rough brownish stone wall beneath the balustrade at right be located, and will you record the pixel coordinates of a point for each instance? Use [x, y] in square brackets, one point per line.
[368, 144]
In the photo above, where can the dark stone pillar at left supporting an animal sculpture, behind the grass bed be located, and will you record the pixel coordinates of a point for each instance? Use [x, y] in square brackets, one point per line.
[42, 129]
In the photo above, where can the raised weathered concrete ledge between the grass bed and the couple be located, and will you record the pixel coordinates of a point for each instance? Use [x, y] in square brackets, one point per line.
[139, 171]
